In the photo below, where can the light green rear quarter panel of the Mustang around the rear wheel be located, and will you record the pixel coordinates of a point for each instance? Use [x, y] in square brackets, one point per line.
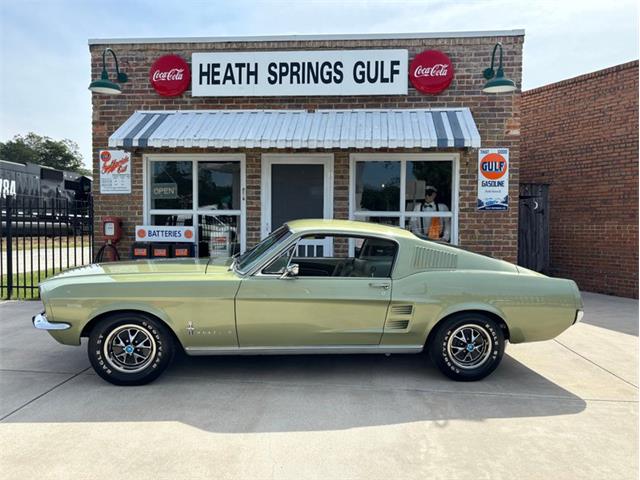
[533, 307]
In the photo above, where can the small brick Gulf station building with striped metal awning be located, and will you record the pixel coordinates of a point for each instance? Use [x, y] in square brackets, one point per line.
[240, 159]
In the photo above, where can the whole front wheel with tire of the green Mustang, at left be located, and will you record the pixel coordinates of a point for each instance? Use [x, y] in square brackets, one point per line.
[130, 348]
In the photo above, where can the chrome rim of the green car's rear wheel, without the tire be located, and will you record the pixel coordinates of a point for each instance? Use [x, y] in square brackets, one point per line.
[469, 346]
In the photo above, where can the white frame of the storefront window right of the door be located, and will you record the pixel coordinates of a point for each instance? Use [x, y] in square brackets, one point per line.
[402, 214]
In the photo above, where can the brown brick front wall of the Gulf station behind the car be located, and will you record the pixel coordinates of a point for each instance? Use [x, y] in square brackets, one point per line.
[497, 118]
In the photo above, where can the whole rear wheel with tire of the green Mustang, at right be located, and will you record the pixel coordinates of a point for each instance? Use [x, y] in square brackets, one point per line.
[467, 346]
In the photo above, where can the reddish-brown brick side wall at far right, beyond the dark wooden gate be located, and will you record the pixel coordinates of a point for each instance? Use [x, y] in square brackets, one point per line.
[581, 137]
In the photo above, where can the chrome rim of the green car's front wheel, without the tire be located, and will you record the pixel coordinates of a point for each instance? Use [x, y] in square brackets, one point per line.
[130, 348]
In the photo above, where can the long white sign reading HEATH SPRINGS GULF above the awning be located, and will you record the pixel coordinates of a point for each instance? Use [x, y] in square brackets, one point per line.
[325, 72]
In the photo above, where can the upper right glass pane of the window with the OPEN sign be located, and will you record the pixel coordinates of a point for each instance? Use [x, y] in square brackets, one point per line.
[219, 185]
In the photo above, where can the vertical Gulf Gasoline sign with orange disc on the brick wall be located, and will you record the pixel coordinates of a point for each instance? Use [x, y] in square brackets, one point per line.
[493, 179]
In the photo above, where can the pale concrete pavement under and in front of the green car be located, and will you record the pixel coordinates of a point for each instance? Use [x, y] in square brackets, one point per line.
[561, 409]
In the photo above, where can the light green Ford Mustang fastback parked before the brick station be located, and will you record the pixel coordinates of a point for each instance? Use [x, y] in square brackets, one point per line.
[312, 286]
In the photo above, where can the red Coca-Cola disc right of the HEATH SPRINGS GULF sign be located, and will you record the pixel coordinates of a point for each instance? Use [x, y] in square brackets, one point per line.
[431, 72]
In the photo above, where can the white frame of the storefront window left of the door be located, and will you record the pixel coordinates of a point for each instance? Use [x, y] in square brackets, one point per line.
[194, 211]
